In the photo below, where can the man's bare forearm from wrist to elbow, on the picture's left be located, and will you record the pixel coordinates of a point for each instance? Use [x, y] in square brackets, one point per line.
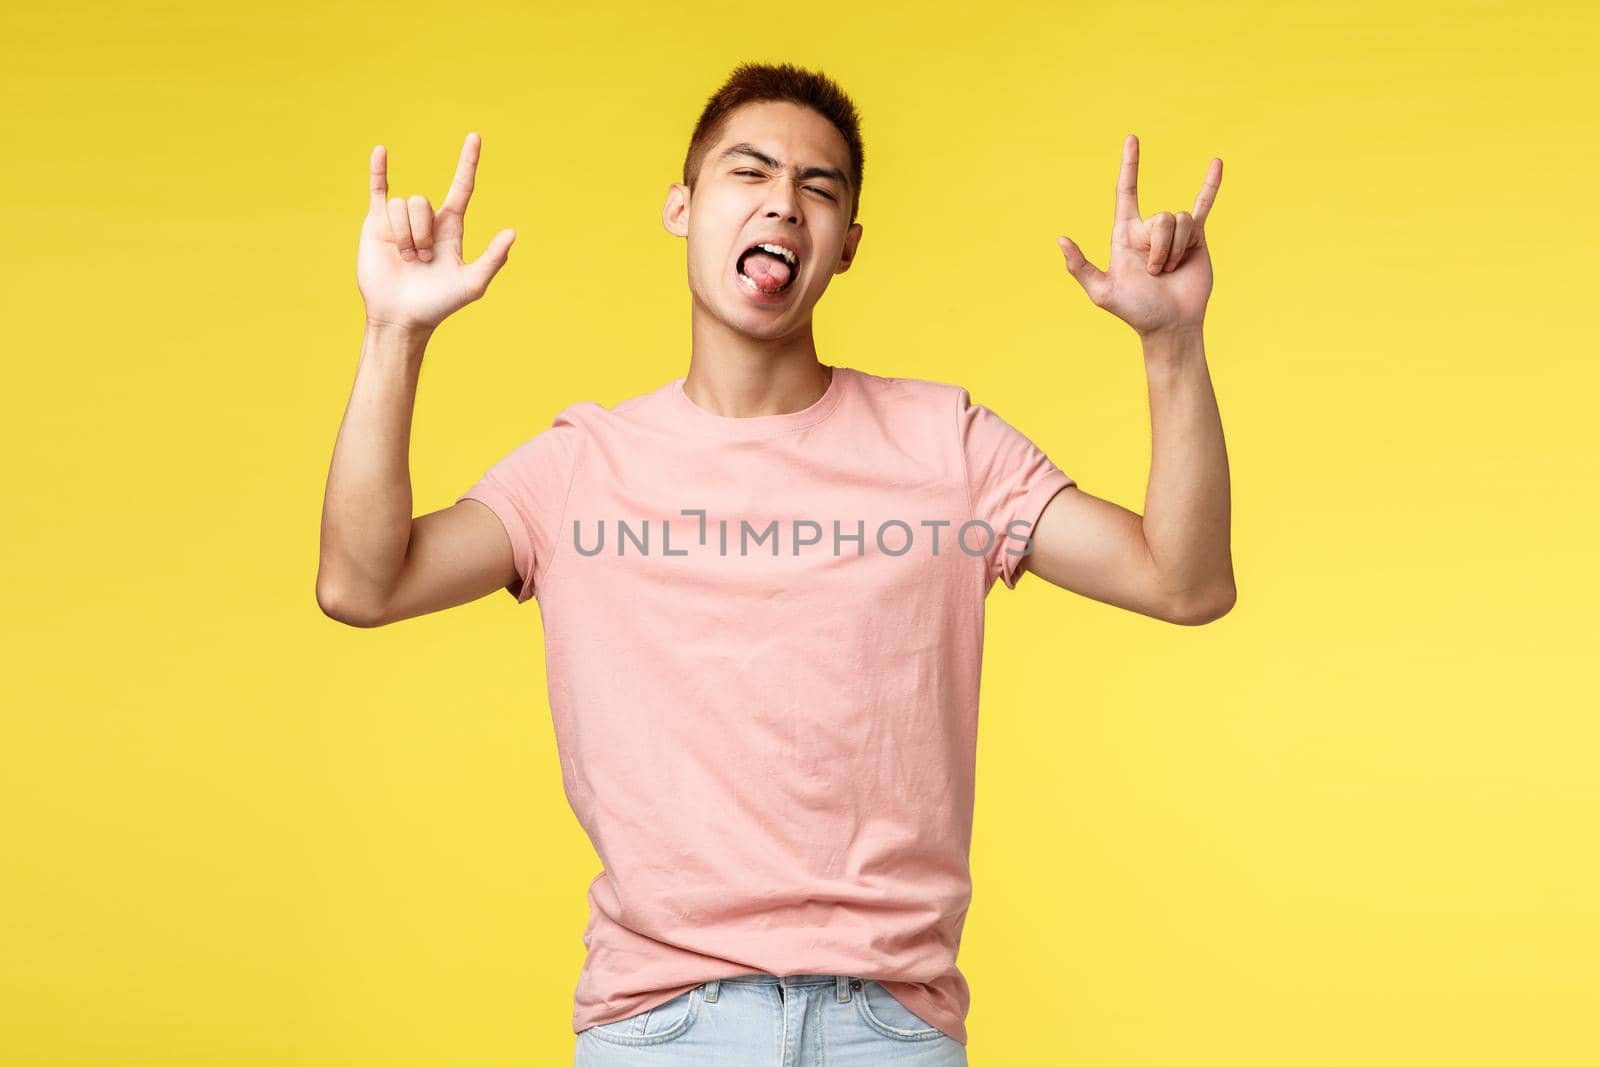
[367, 505]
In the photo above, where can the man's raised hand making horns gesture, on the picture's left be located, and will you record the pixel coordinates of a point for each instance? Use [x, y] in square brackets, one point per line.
[409, 265]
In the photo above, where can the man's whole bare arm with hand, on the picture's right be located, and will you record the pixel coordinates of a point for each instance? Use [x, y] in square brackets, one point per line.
[1175, 562]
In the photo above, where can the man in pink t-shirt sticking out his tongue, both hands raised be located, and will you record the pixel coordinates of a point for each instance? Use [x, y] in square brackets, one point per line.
[762, 589]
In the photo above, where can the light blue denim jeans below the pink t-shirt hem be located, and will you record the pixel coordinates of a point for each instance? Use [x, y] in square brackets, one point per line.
[769, 1021]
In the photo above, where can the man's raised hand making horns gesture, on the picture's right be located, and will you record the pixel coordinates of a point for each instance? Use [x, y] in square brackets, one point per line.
[1161, 271]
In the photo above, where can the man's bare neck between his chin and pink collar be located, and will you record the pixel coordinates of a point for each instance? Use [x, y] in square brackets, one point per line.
[740, 377]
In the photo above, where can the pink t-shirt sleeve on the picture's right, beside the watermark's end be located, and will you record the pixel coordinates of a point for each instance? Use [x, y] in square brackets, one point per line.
[1009, 481]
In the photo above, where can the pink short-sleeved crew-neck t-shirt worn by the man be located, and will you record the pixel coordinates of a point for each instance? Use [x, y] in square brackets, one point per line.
[764, 641]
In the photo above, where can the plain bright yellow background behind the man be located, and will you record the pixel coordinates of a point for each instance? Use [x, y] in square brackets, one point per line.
[1353, 823]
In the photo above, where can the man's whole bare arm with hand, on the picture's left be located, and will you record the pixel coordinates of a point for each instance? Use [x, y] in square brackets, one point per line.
[378, 564]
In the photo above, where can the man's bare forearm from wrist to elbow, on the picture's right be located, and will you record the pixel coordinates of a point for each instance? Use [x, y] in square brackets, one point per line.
[1186, 510]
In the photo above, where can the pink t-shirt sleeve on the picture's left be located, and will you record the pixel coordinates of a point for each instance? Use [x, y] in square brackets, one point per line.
[527, 490]
